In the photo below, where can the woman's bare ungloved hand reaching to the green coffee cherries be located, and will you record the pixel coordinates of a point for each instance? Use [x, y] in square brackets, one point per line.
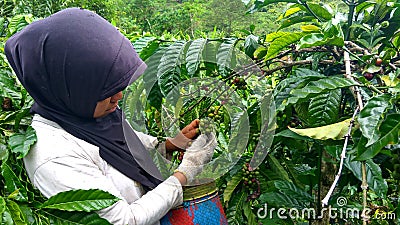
[181, 141]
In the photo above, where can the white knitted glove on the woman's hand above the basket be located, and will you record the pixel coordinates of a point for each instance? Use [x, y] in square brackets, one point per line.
[197, 155]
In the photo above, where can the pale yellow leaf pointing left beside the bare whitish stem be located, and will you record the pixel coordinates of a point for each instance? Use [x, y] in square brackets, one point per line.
[334, 131]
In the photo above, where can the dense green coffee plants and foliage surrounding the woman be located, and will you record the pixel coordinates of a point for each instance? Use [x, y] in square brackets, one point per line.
[329, 140]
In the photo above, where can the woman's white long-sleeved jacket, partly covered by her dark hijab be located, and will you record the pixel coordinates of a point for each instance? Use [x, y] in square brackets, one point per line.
[60, 162]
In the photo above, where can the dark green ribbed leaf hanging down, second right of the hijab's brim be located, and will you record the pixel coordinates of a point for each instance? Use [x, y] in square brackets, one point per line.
[168, 73]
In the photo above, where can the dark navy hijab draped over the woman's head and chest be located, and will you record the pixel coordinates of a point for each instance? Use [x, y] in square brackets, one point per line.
[70, 61]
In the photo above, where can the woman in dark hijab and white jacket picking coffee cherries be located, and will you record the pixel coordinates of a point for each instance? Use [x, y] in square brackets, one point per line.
[75, 65]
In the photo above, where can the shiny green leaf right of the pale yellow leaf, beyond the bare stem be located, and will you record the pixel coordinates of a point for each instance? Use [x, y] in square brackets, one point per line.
[371, 117]
